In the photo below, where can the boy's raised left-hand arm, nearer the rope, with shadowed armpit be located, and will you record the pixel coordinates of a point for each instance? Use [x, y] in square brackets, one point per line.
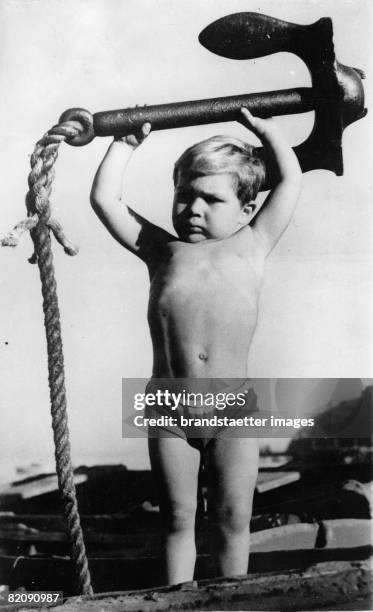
[126, 226]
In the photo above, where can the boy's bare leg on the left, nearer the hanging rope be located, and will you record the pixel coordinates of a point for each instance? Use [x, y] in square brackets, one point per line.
[175, 465]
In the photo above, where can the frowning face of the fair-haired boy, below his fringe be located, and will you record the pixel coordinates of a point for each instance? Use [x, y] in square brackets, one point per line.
[207, 207]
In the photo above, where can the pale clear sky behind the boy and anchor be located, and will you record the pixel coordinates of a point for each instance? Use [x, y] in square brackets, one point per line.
[315, 311]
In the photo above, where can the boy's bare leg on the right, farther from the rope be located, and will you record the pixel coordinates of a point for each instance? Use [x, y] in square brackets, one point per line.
[232, 465]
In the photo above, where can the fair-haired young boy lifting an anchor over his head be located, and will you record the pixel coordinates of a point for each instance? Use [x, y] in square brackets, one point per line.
[204, 290]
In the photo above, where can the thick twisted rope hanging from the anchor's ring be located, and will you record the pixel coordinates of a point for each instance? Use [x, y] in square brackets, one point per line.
[37, 202]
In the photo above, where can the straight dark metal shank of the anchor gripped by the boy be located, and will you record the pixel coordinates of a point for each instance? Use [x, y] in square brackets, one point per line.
[199, 112]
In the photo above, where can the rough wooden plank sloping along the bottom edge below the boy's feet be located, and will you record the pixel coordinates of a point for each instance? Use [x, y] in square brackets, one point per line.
[319, 585]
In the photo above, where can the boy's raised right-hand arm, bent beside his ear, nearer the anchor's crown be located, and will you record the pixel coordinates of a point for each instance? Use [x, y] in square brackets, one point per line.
[279, 206]
